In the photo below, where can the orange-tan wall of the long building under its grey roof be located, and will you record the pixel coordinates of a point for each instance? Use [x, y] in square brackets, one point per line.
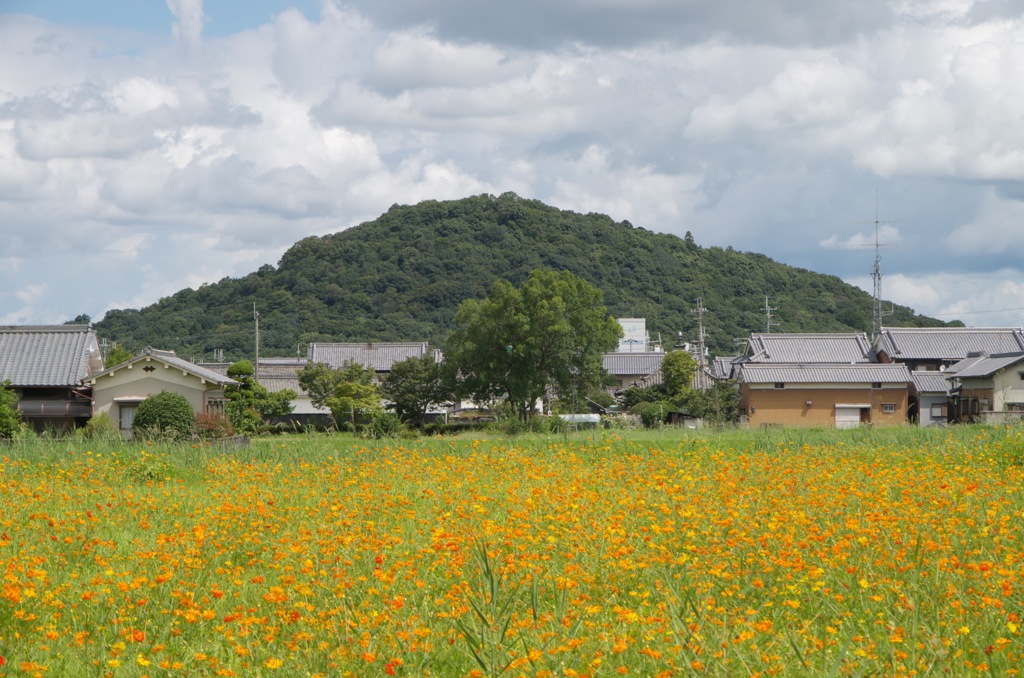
[788, 407]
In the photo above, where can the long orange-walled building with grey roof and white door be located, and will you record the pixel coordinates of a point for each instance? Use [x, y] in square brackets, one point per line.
[842, 395]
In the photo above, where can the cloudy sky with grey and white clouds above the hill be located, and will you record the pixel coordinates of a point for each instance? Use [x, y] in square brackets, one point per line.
[147, 147]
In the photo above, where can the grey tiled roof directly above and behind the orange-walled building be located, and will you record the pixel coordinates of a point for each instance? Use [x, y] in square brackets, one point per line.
[852, 348]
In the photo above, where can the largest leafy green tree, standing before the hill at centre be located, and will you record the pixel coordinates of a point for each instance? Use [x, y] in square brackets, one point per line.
[518, 344]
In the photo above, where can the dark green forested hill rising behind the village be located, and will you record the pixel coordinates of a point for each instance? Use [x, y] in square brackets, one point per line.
[402, 277]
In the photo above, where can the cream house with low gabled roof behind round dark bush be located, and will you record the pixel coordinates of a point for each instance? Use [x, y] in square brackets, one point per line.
[118, 391]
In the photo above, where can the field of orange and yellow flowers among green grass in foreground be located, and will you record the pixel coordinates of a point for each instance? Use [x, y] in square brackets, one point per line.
[786, 554]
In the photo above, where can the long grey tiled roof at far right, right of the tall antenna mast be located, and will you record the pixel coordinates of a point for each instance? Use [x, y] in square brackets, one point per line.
[948, 344]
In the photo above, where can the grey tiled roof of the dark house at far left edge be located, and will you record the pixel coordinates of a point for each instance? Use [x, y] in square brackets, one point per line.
[49, 356]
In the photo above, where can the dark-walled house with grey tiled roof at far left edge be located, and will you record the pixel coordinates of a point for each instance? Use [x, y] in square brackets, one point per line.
[46, 366]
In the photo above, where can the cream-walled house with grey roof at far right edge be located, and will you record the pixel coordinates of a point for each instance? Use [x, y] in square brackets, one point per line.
[989, 389]
